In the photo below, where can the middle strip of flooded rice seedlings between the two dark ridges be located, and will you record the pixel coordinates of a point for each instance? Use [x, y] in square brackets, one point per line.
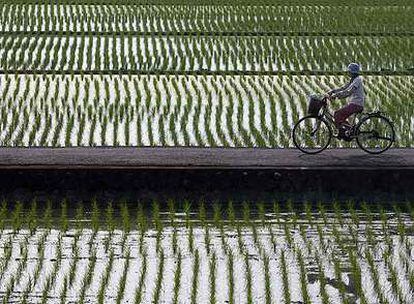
[214, 53]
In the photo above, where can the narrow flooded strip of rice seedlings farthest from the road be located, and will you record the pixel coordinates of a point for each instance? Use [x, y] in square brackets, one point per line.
[114, 17]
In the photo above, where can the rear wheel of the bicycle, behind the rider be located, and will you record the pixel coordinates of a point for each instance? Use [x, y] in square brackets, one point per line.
[375, 134]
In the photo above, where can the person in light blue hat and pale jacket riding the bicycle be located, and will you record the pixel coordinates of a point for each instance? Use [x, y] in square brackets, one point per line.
[354, 89]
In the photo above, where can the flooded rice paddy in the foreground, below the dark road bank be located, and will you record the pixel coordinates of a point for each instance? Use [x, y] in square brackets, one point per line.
[206, 252]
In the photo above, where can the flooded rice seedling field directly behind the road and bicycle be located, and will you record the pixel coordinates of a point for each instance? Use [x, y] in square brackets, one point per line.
[133, 119]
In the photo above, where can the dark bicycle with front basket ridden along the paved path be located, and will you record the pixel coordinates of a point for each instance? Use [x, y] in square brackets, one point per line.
[374, 132]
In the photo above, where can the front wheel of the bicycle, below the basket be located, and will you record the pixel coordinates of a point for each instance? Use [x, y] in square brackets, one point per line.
[311, 135]
